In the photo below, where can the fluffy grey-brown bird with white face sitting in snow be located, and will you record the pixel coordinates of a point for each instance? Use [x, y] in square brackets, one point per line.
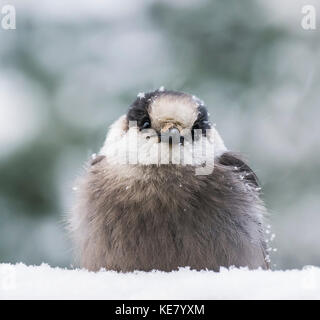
[151, 199]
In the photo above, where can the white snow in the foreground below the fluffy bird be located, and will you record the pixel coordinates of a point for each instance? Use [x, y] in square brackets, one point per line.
[44, 282]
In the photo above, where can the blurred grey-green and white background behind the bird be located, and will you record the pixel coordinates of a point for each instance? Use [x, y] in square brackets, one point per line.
[72, 67]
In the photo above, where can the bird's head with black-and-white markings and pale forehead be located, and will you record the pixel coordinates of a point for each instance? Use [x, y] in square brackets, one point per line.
[162, 127]
